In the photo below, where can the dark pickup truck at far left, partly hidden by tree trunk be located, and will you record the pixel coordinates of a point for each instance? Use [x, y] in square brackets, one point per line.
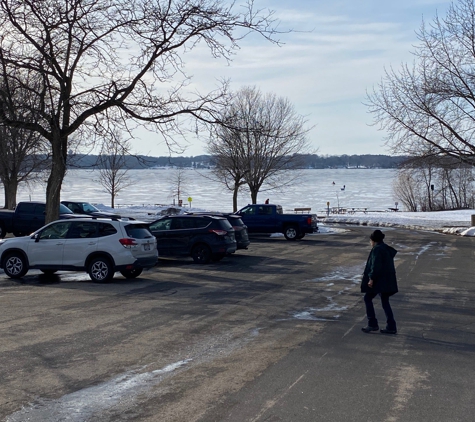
[28, 217]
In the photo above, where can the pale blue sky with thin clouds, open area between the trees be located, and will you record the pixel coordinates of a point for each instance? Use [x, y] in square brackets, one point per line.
[338, 51]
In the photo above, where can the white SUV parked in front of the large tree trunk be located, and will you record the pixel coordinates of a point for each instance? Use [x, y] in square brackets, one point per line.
[99, 246]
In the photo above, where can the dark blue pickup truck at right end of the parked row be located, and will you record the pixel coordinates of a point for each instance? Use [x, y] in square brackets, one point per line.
[268, 218]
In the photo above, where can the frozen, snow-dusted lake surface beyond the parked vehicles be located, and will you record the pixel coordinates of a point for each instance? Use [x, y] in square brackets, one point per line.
[365, 188]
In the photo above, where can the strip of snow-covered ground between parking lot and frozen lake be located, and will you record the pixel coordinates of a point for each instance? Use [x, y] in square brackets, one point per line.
[450, 222]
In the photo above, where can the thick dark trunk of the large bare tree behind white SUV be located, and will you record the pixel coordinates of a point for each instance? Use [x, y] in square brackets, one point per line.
[55, 179]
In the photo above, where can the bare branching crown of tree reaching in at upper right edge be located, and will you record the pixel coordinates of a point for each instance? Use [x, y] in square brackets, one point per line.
[433, 101]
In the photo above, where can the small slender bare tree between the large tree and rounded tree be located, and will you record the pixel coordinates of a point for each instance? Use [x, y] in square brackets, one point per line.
[113, 174]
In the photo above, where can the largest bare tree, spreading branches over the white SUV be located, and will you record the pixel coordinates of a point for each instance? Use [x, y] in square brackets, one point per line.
[98, 60]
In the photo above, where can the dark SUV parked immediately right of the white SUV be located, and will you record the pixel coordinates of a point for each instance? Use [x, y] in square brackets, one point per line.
[203, 237]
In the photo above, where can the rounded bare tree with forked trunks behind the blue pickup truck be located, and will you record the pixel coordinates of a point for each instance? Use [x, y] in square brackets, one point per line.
[261, 136]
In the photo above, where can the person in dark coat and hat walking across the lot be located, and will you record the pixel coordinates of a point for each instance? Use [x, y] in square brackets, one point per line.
[379, 278]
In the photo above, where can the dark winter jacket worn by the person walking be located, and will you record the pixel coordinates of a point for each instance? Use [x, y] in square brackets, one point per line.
[380, 268]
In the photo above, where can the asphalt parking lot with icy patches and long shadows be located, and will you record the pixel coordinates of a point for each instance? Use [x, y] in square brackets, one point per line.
[268, 334]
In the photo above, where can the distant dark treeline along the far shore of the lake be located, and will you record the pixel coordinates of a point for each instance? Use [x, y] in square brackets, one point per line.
[205, 161]
